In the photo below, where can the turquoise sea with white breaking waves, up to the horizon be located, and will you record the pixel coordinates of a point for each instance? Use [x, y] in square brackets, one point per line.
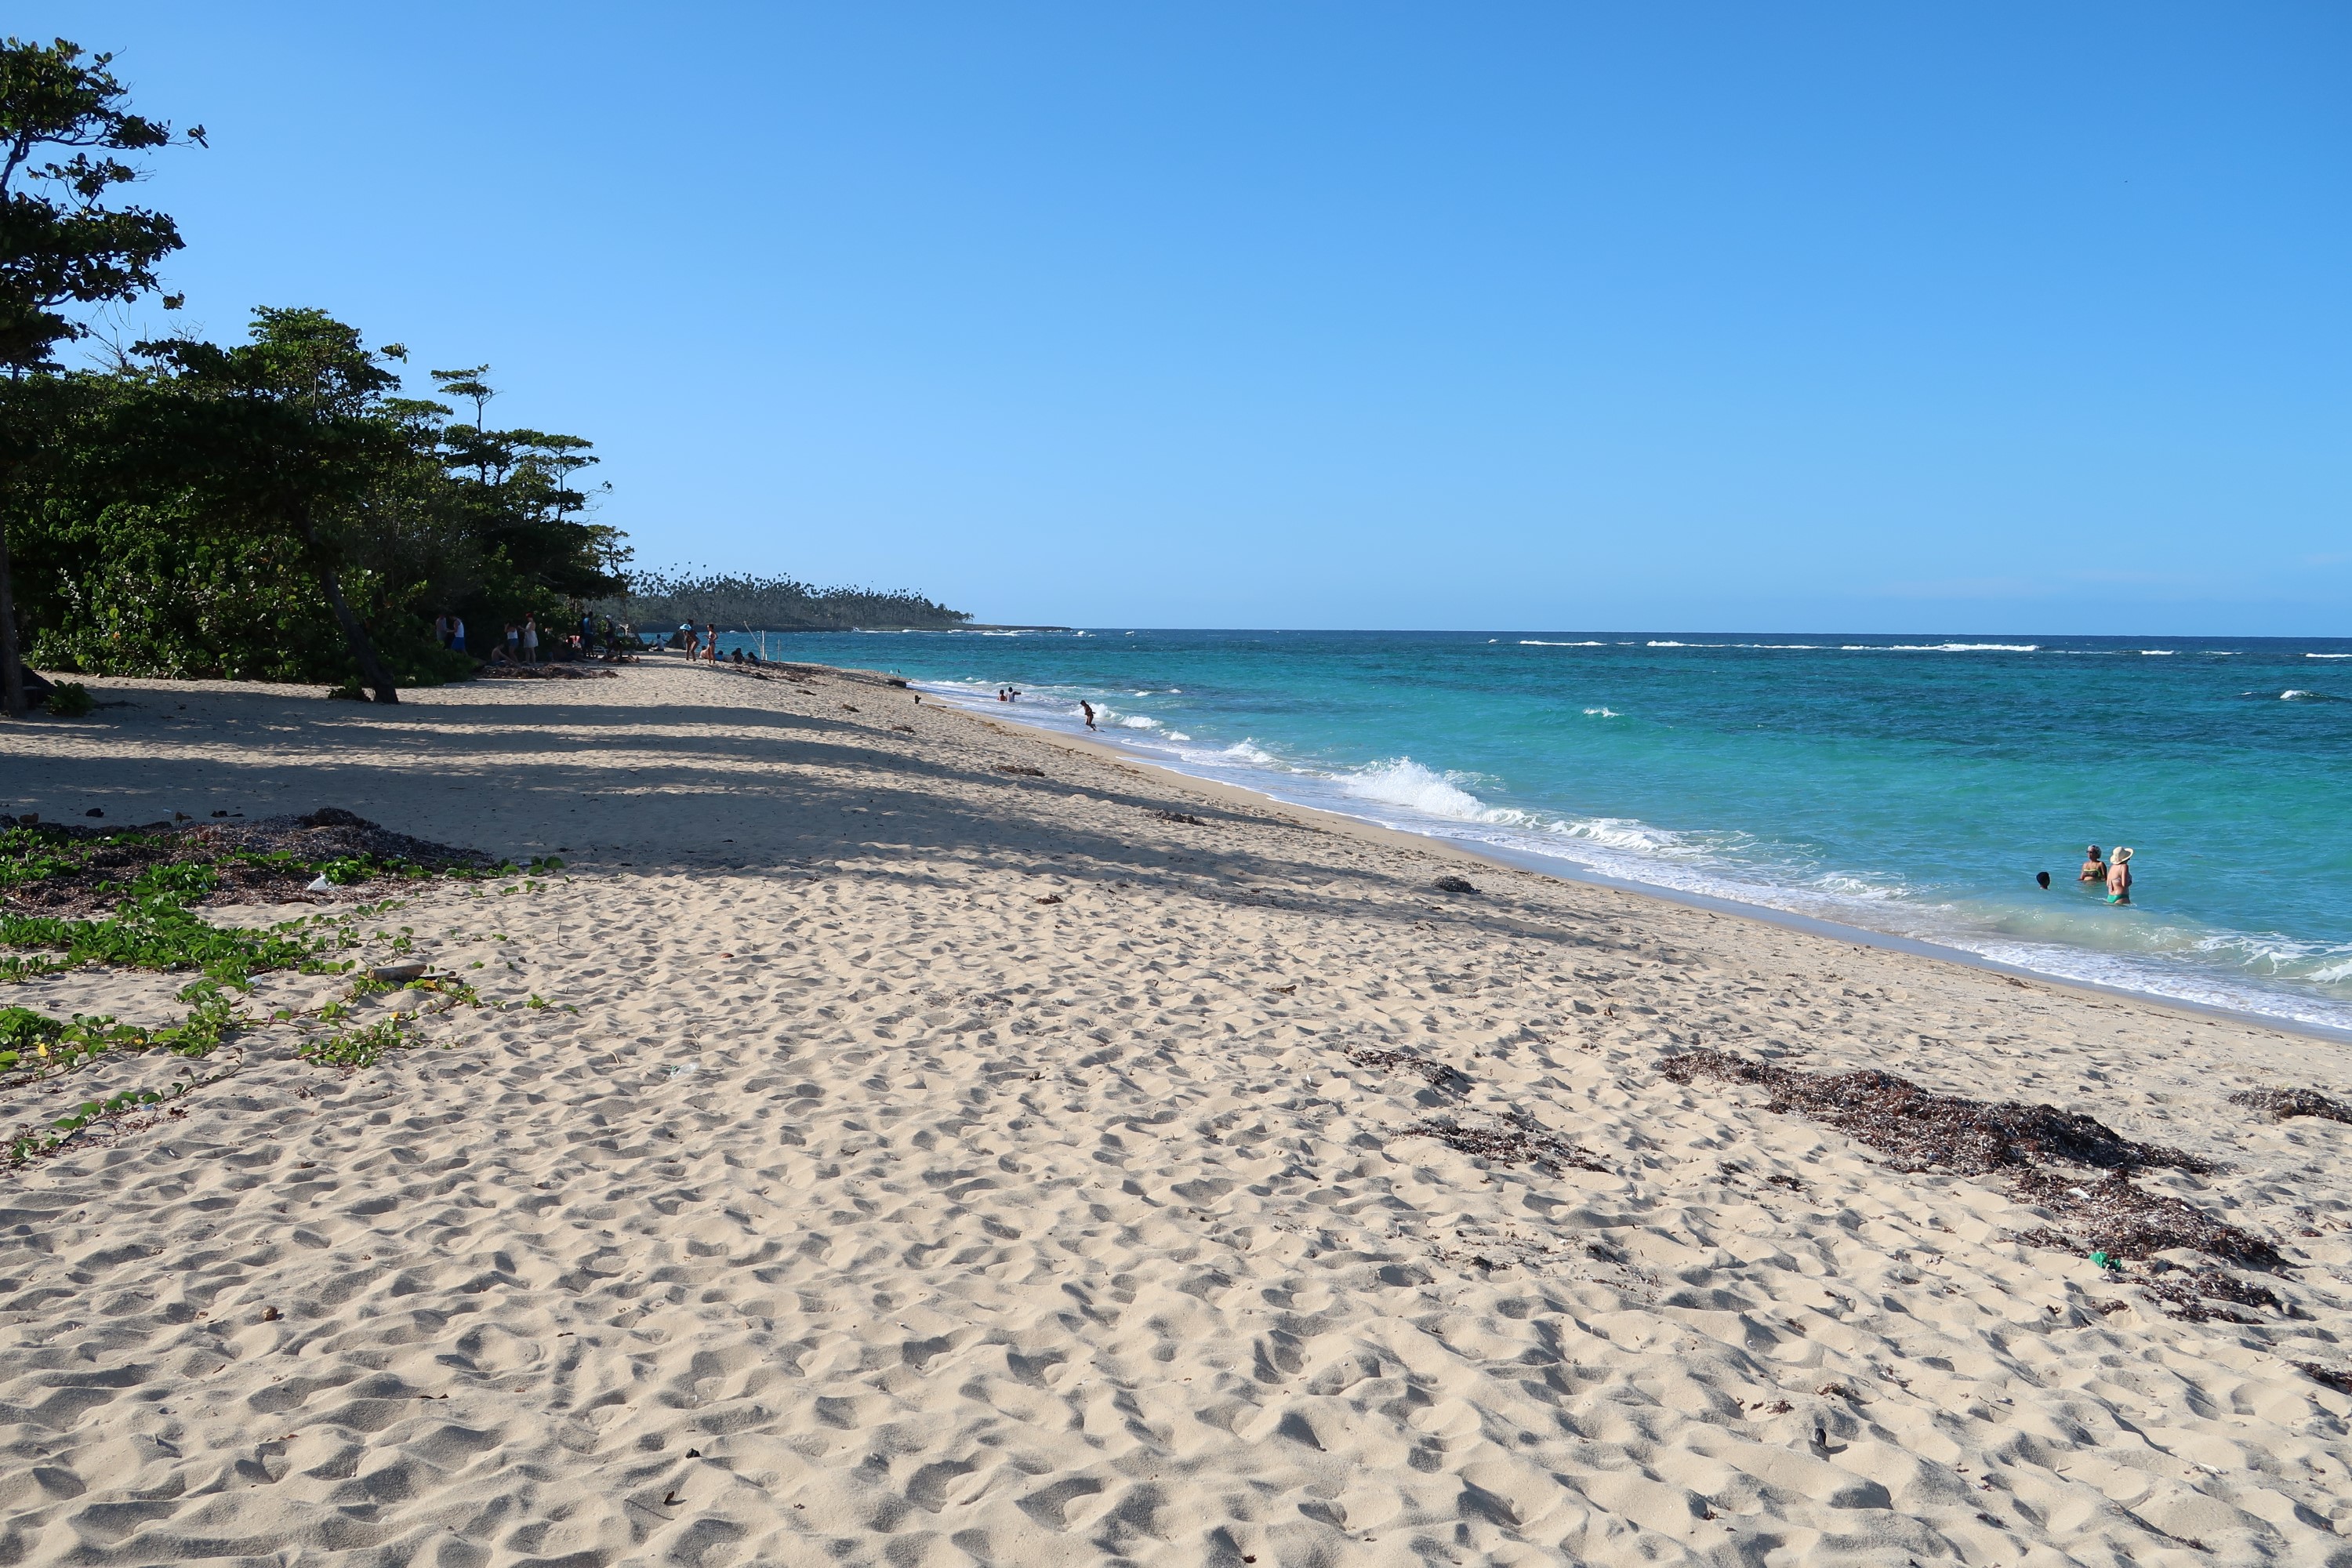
[1902, 784]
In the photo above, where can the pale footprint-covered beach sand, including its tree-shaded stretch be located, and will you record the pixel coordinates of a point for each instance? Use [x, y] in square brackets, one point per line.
[951, 1146]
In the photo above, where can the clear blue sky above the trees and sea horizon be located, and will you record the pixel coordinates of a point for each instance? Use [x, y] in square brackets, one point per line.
[1803, 316]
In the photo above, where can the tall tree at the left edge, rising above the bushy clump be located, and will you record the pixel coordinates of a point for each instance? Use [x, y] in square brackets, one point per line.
[62, 128]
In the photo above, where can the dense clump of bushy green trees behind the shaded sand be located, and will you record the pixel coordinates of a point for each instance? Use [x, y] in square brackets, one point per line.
[218, 511]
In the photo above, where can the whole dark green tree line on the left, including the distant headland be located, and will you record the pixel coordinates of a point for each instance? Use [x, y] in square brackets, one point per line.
[283, 507]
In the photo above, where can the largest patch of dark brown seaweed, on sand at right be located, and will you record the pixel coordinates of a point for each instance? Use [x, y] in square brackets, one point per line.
[1920, 1130]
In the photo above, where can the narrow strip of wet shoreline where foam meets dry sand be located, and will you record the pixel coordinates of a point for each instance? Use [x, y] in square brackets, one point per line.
[1568, 871]
